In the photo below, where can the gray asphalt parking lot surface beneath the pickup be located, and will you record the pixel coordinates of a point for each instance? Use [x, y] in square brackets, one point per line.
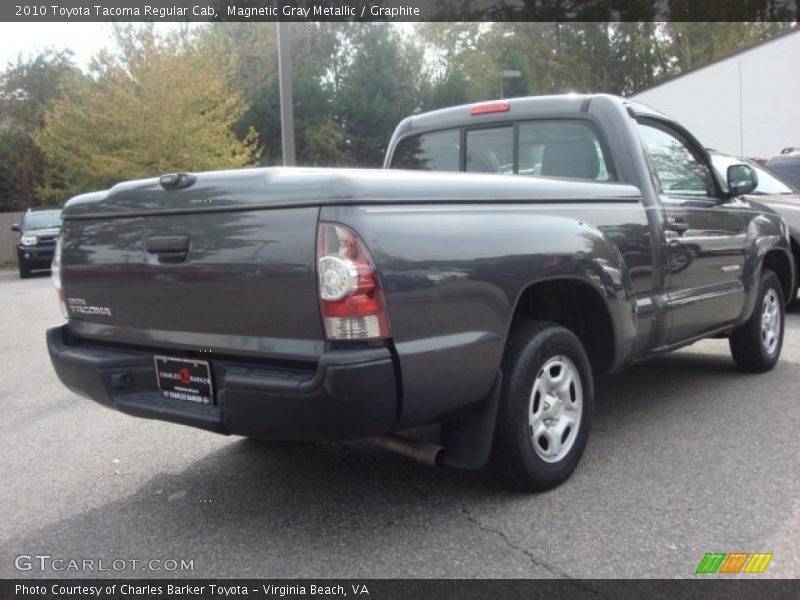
[687, 456]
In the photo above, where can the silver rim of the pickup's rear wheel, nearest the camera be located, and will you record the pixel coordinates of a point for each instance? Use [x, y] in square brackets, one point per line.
[555, 409]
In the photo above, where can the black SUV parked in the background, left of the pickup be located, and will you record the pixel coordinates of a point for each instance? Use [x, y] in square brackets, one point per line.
[37, 242]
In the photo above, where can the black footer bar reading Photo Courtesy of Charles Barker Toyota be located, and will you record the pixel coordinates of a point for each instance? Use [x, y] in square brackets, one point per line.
[397, 589]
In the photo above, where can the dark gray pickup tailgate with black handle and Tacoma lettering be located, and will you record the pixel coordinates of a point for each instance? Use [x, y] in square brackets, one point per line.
[238, 282]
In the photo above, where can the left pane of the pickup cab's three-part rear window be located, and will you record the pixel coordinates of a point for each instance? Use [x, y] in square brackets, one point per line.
[436, 151]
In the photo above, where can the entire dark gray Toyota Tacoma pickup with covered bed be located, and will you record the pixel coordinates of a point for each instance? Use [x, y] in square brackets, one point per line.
[336, 304]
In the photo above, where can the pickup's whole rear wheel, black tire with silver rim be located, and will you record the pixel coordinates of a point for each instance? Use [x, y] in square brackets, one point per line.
[545, 406]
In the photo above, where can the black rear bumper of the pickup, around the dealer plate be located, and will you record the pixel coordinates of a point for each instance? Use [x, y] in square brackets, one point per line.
[351, 394]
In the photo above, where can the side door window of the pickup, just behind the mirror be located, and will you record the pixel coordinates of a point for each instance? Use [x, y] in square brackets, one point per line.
[678, 170]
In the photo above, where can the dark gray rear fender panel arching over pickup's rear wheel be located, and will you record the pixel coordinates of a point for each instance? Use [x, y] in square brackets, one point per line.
[453, 274]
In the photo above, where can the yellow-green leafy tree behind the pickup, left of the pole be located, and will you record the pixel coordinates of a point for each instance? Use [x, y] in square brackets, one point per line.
[163, 103]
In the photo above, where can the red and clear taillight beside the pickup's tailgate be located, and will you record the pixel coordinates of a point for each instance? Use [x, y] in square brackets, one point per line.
[350, 296]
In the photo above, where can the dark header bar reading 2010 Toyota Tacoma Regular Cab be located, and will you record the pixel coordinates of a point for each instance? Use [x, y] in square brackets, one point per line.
[398, 10]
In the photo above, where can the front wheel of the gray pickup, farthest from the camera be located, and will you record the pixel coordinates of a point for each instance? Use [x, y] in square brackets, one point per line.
[749, 348]
